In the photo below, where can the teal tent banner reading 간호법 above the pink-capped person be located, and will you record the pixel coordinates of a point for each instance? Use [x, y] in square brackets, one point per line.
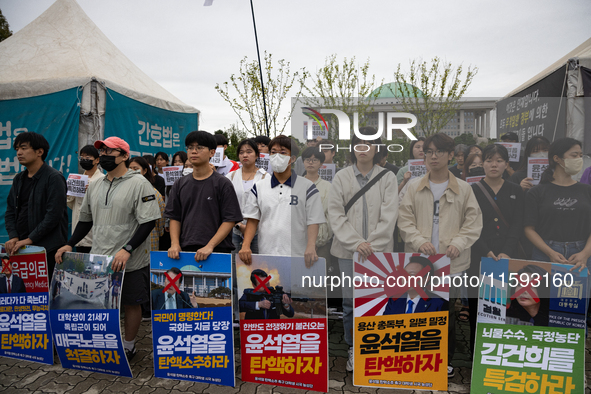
[145, 128]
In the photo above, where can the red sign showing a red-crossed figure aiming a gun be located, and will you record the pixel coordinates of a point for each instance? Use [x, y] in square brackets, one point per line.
[283, 322]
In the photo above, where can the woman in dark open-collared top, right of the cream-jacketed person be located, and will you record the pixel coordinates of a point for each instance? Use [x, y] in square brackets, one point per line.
[501, 204]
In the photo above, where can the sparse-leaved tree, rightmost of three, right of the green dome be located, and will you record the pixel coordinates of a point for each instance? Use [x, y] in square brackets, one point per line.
[432, 91]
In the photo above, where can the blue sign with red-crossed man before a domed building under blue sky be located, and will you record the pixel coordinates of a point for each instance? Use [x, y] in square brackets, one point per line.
[192, 318]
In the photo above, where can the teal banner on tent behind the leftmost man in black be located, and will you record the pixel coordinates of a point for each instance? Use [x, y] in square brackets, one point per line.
[56, 116]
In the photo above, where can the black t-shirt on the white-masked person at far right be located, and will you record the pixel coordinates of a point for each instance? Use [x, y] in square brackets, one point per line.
[559, 213]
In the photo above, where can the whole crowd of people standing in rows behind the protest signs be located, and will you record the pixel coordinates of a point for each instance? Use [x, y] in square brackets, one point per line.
[370, 206]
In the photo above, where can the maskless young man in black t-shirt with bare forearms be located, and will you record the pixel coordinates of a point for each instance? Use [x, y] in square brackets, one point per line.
[202, 207]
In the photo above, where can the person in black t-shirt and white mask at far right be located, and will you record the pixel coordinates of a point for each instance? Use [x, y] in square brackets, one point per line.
[558, 210]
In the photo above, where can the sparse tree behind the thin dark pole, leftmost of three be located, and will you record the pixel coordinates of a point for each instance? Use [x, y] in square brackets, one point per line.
[248, 104]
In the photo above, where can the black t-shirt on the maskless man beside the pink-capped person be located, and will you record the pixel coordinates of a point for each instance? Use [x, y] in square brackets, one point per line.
[201, 207]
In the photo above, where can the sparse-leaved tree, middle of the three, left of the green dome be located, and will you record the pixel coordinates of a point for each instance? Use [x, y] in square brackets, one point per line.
[347, 87]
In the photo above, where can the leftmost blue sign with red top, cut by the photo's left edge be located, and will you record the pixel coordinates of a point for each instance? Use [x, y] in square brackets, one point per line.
[24, 317]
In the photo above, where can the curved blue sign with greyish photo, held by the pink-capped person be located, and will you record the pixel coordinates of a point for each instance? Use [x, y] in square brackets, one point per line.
[84, 311]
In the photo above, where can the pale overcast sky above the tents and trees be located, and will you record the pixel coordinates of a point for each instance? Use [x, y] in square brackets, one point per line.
[188, 48]
